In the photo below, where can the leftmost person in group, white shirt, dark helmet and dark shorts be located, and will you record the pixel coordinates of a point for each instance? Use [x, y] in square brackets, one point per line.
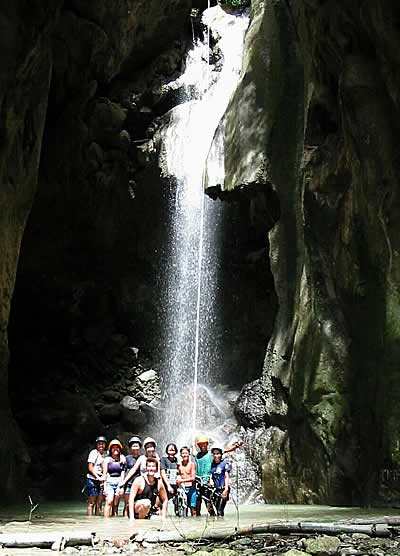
[94, 477]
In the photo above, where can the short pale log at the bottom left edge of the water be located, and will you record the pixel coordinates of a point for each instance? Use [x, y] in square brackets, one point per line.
[46, 540]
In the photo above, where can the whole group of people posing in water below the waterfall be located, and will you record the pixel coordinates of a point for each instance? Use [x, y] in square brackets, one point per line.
[146, 482]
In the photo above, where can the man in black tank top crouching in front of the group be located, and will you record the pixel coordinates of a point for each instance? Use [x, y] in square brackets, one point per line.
[144, 492]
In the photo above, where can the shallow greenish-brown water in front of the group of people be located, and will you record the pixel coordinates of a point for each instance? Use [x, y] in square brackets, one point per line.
[71, 517]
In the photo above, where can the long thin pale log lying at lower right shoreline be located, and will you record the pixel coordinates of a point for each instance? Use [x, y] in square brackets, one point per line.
[281, 527]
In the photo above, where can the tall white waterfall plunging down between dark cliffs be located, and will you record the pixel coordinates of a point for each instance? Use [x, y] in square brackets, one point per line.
[191, 280]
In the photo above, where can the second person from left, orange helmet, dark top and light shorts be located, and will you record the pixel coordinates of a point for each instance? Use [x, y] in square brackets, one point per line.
[114, 472]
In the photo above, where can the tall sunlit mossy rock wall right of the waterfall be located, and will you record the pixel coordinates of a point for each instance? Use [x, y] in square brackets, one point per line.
[325, 107]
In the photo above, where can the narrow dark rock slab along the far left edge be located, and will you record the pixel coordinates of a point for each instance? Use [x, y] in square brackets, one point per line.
[26, 64]
